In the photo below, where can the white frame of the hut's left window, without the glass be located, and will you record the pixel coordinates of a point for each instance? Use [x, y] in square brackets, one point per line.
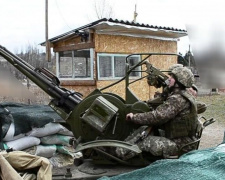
[71, 78]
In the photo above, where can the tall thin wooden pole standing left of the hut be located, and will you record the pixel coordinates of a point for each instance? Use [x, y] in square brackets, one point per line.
[48, 53]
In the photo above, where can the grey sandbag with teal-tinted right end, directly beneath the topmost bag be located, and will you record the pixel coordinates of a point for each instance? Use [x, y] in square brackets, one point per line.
[56, 139]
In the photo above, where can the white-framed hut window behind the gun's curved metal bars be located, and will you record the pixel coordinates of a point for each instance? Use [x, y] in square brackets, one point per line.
[112, 66]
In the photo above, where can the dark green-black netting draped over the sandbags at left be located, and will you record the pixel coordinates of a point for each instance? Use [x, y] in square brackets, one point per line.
[25, 117]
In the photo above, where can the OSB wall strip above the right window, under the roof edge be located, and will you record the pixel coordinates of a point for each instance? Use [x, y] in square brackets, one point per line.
[125, 44]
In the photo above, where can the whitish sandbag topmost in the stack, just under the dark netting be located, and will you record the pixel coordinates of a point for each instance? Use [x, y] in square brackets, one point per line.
[48, 129]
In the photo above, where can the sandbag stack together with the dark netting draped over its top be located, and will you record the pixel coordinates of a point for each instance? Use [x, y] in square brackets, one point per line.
[35, 129]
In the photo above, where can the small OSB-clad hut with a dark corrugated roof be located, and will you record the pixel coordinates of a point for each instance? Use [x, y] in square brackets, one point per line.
[93, 56]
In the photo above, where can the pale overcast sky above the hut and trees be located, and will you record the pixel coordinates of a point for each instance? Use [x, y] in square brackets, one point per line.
[22, 23]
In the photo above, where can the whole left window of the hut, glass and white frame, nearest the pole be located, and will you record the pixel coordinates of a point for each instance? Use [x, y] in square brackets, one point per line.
[75, 64]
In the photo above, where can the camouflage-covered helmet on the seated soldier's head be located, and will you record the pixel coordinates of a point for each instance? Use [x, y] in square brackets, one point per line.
[184, 76]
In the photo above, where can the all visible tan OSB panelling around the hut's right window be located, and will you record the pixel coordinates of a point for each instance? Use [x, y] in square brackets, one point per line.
[127, 45]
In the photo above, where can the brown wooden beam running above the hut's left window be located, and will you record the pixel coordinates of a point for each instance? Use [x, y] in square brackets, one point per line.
[87, 45]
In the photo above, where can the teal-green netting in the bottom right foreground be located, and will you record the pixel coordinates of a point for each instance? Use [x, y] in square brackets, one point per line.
[208, 164]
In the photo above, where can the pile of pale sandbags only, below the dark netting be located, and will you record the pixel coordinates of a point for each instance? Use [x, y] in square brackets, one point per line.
[48, 139]
